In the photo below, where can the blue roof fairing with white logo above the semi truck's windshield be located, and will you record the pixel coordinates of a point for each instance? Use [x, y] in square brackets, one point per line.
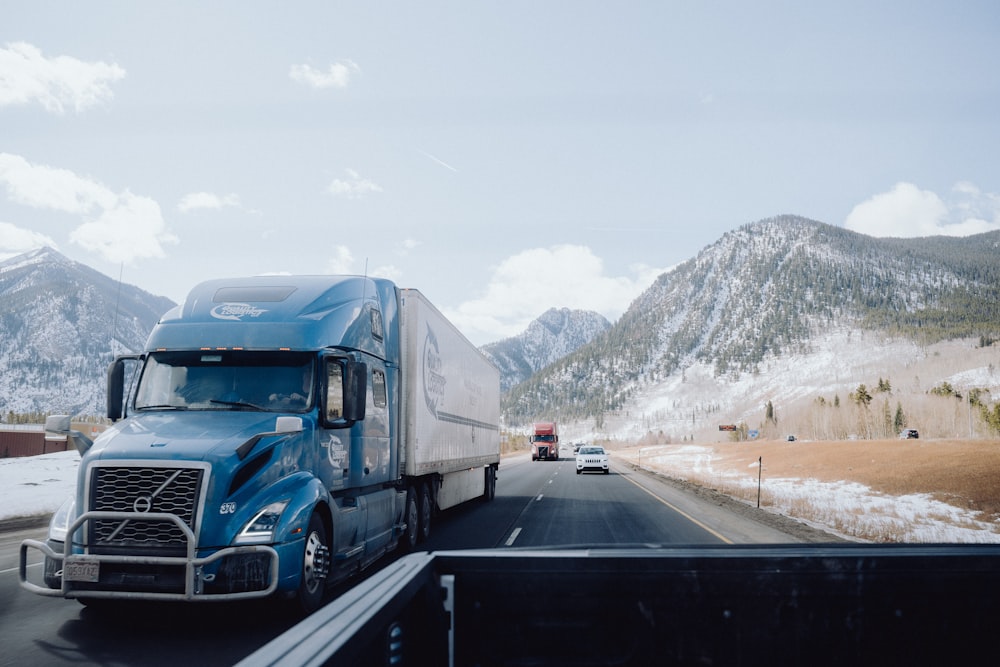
[273, 310]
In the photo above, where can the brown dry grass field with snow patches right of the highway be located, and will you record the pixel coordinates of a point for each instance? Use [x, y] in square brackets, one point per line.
[876, 490]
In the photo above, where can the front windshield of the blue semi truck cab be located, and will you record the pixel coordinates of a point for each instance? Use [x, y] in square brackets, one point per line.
[227, 380]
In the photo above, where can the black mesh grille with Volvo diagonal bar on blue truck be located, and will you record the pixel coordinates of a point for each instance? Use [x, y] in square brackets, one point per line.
[140, 490]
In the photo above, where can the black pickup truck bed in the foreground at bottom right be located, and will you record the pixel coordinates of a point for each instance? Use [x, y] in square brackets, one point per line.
[733, 605]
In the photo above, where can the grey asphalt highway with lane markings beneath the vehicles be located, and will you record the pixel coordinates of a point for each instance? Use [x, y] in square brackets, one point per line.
[538, 504]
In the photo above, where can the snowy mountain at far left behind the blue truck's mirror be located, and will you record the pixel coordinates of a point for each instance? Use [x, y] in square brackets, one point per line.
[61, 323]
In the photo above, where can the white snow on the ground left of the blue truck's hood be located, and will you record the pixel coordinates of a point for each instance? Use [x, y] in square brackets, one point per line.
[33, 485]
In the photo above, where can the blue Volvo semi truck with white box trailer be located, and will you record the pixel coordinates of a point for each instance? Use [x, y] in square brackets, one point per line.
[277, 434]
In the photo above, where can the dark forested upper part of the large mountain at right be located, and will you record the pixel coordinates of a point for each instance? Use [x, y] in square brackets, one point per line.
[769, 291]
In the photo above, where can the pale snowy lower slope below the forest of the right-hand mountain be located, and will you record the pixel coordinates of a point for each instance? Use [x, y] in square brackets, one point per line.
[694, 402]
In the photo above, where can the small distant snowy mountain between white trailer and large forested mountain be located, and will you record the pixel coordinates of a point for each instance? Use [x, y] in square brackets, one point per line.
[556, 333]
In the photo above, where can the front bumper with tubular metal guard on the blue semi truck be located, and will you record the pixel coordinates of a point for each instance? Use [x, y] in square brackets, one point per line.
[250, 571]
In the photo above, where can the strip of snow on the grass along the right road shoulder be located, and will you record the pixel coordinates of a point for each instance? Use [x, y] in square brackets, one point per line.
[848, 509]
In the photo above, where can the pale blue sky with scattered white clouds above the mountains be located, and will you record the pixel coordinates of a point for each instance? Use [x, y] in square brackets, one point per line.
[502, 157]
